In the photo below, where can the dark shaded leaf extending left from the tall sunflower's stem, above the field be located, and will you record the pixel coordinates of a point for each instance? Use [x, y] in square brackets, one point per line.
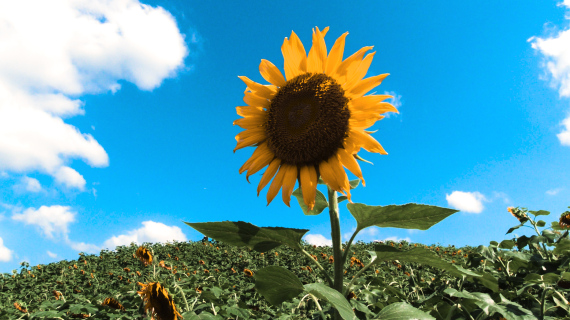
[241, 234]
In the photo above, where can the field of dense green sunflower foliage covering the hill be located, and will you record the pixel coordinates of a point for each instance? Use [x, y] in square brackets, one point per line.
[519, 278]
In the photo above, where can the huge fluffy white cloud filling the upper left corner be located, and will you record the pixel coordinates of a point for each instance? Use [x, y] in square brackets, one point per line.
[61, 50]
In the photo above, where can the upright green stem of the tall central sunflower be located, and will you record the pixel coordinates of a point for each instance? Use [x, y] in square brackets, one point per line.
[336, 239]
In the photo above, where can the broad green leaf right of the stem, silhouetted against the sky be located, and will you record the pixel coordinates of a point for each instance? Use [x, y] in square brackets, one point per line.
[408, 216]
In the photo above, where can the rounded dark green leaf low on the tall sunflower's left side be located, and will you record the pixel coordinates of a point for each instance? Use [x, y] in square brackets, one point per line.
[277, 284]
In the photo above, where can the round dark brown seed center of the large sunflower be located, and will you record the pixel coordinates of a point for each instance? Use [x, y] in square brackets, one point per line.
[307, 120]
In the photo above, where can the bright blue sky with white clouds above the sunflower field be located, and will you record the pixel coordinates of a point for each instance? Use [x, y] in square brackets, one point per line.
[116, 120]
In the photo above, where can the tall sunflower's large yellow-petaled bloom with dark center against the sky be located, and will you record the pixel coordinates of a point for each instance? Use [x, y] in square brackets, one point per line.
[311, 122]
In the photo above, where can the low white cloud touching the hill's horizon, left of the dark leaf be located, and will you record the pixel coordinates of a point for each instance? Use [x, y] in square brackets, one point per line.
[150, 232]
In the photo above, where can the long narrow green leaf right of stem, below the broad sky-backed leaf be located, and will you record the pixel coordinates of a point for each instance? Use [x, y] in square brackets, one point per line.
[419, 255]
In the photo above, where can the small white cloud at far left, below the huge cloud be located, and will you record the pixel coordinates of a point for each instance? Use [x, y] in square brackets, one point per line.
[51, 220]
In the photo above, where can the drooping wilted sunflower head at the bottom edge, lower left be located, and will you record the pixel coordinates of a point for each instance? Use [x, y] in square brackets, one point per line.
[158, 301]
